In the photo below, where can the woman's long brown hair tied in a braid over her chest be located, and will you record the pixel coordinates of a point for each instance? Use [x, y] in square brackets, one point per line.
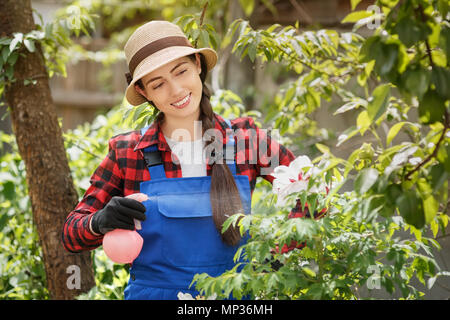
[224, 194]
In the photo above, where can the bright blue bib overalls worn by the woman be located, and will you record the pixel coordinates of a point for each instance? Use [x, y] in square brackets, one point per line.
[180, 237]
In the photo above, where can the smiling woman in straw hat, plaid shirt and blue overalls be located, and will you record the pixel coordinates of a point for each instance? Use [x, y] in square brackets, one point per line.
[188, 200]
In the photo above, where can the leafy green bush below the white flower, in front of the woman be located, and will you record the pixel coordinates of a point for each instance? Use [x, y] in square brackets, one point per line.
[350, 248]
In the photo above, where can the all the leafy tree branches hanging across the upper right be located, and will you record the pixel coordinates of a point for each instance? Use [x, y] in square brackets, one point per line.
[325, 61]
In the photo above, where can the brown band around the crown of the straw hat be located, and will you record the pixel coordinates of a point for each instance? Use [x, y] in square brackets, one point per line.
[153, 47]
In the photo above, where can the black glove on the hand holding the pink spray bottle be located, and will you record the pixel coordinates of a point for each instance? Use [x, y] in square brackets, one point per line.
[118, 214]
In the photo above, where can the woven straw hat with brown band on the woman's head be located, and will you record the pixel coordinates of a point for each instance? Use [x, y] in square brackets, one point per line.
[153, 45]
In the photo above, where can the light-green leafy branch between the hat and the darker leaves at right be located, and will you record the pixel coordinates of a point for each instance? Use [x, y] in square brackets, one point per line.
[322, 60]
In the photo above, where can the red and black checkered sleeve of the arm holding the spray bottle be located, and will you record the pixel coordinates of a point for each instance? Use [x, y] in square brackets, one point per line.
[105, 183]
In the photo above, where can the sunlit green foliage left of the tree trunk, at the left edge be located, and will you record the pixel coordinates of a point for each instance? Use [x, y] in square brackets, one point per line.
[22, 272]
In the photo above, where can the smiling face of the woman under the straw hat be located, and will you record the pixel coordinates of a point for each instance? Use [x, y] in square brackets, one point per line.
[175, 89]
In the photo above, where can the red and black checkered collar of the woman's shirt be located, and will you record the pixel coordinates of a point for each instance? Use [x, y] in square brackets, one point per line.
[154, 134]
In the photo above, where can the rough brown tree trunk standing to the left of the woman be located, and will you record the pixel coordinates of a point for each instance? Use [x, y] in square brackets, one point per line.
[41, 146]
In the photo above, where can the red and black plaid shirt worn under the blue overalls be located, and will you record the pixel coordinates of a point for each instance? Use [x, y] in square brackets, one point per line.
[123, 169]
